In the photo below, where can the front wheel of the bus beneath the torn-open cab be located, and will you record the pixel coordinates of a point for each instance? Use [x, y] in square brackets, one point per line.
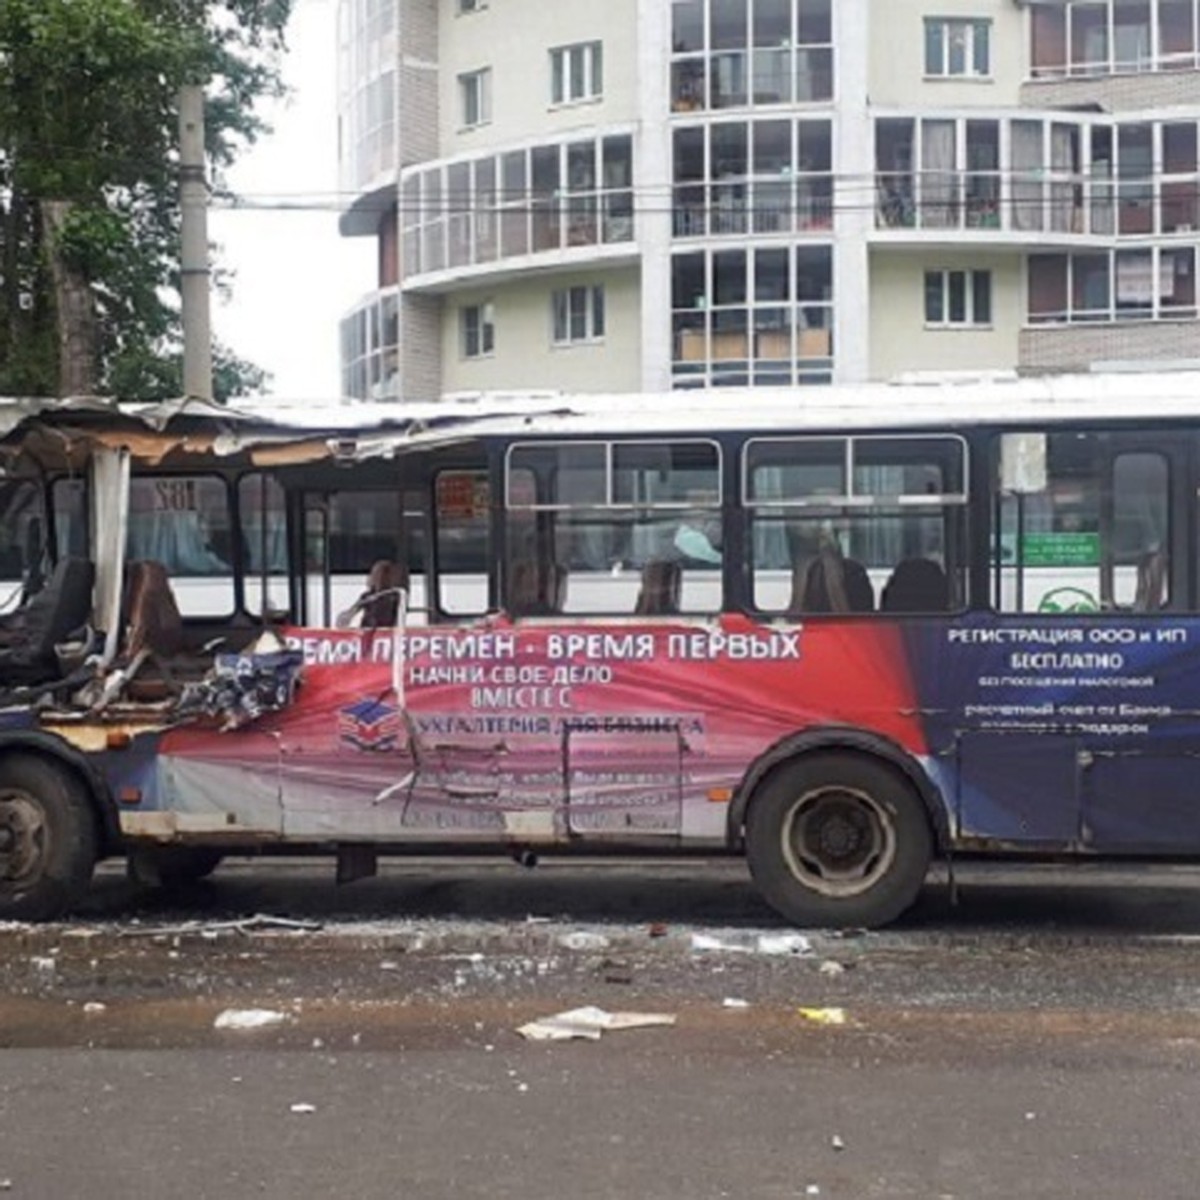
[49, 839]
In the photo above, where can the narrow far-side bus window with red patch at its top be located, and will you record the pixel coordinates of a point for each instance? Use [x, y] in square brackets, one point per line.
[464, 542]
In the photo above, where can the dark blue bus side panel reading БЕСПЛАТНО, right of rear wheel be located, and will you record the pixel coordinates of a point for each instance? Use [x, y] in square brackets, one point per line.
[1066, 733]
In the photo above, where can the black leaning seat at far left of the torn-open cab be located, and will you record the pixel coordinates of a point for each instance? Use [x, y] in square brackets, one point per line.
[29, 635]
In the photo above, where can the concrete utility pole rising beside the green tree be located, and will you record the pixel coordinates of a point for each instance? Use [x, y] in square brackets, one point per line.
[194, 207]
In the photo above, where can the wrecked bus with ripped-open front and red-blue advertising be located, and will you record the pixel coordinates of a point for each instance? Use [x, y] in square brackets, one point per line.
[843, 637]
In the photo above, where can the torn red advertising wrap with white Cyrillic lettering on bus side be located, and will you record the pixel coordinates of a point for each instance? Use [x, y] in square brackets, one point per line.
[538, 733]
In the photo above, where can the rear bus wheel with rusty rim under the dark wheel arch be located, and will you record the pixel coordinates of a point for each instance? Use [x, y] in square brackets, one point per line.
[838, 841]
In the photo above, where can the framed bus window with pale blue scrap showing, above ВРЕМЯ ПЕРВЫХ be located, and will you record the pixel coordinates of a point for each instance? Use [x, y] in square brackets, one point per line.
[621, 529]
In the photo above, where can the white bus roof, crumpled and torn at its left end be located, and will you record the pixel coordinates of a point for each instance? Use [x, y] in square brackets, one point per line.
[355, 430]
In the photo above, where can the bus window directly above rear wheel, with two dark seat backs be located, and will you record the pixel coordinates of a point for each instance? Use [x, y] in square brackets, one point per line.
[857, 525]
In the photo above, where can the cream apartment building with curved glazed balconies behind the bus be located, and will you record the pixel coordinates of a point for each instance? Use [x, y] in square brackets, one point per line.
[694, 194]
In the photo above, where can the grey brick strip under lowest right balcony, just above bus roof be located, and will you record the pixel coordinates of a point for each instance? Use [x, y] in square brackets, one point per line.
[1077, 347]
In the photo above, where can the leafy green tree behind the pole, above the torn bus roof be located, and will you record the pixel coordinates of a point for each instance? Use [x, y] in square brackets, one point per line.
[89, 151]
